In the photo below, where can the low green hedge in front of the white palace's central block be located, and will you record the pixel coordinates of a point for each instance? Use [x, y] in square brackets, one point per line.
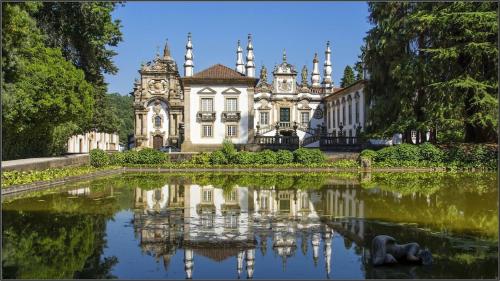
[229, 155]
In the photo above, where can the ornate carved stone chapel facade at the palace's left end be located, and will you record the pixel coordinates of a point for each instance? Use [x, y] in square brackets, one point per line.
[158, 103]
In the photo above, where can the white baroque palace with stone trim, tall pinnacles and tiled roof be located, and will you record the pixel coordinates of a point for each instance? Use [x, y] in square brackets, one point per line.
[197, 111]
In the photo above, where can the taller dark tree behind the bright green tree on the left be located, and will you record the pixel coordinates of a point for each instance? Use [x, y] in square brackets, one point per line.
[85, 31]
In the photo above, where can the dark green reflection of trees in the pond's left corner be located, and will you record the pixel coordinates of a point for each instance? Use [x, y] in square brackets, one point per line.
[57, 237]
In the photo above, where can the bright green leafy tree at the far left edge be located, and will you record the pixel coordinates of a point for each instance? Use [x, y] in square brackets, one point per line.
[41, 91]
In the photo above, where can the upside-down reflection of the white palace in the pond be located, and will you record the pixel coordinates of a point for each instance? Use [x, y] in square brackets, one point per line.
[218, 224]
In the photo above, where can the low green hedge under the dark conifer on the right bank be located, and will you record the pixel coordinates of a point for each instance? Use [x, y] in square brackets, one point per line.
[458, 155]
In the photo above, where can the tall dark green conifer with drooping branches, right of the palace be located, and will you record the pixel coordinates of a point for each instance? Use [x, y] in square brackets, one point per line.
[433, 66]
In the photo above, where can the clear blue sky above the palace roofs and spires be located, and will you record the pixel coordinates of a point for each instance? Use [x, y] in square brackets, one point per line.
[302, 28]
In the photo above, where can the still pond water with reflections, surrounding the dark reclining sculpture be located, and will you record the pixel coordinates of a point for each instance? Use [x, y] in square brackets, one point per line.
[237, 225]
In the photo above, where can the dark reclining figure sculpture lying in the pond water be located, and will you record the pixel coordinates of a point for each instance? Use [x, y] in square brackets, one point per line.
[385, 250]
